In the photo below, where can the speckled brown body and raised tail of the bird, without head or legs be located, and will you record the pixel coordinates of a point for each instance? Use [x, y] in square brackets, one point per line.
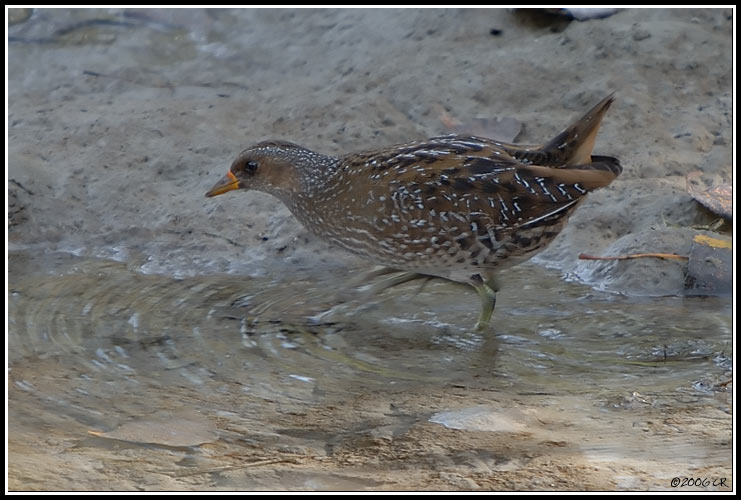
[454, 205]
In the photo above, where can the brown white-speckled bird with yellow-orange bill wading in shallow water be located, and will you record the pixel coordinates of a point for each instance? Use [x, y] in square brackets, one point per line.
[457, 207]
